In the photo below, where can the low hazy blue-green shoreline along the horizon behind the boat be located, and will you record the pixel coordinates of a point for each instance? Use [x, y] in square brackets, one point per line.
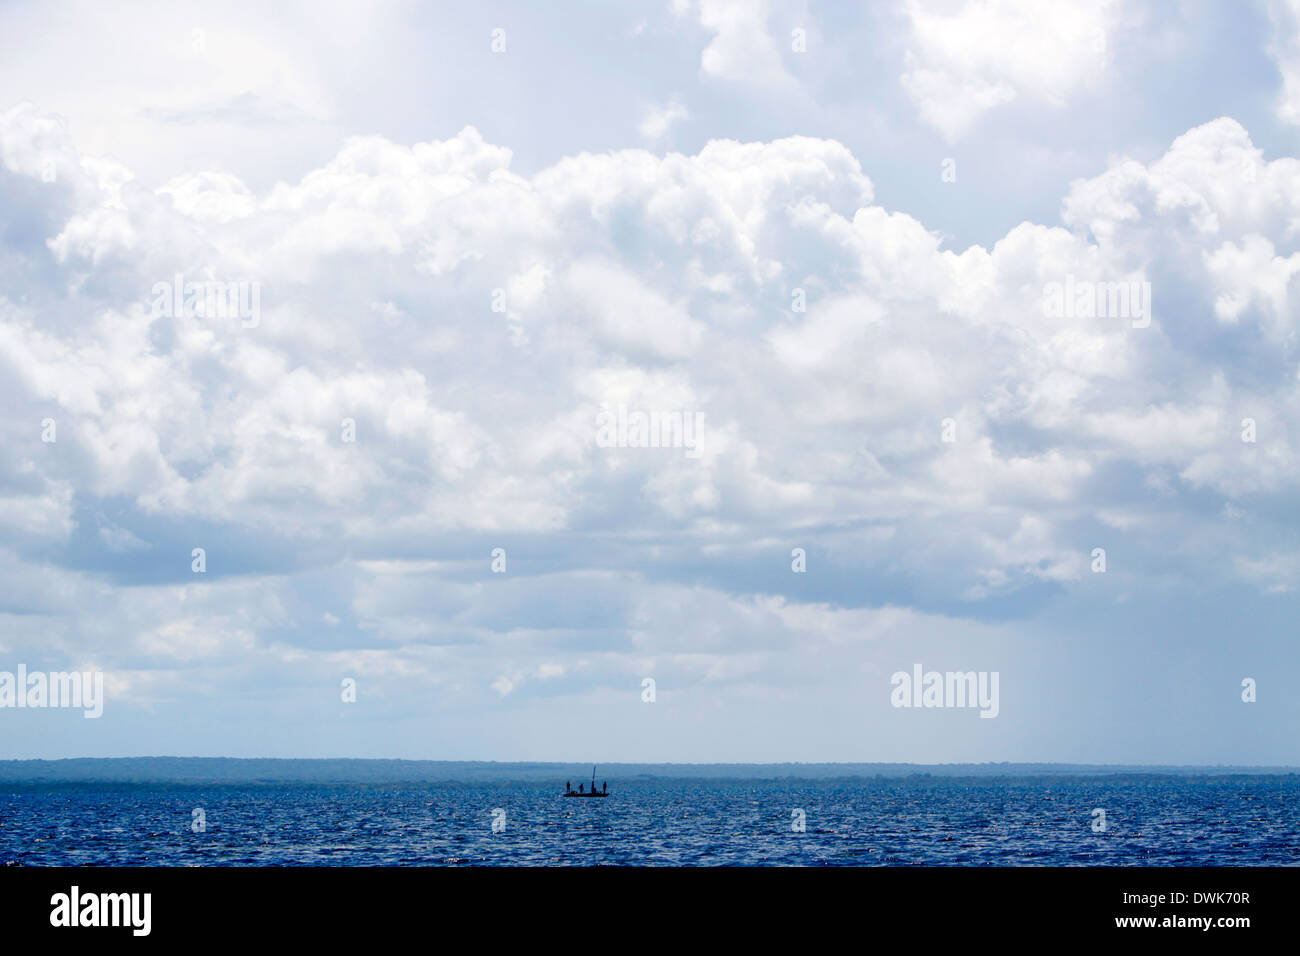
[341, 772]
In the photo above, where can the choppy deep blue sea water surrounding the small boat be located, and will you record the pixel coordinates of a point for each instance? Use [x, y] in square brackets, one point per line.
[661, 823]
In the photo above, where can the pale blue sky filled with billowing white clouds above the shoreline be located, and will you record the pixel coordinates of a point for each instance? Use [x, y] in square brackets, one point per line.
[825, 240]
